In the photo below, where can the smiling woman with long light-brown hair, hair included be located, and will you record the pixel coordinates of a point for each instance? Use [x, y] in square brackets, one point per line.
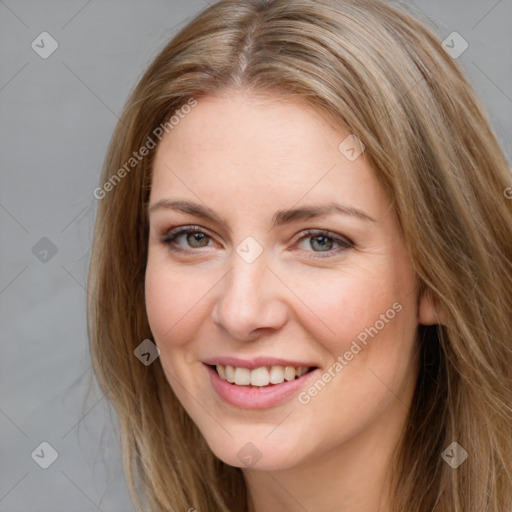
[301, 282]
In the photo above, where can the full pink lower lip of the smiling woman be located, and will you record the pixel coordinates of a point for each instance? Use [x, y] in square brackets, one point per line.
[256, 397]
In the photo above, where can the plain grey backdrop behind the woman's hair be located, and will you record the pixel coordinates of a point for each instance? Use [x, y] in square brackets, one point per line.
[57, 117]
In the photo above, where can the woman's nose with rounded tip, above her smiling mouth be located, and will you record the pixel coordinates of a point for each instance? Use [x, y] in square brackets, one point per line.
[251, 300]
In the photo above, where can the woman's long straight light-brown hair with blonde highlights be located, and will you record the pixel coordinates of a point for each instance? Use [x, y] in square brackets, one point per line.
[374, 68]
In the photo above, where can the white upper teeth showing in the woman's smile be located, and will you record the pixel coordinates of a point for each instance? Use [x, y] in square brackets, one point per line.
[259, 376]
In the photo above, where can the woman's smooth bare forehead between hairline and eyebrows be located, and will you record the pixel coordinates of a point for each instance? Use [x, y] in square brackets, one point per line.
[244, 151]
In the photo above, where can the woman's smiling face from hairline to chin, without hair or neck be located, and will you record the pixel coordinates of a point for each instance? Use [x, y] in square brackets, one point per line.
[277, 280]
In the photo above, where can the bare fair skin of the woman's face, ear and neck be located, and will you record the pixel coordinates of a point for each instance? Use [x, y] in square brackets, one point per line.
[245, 158]
